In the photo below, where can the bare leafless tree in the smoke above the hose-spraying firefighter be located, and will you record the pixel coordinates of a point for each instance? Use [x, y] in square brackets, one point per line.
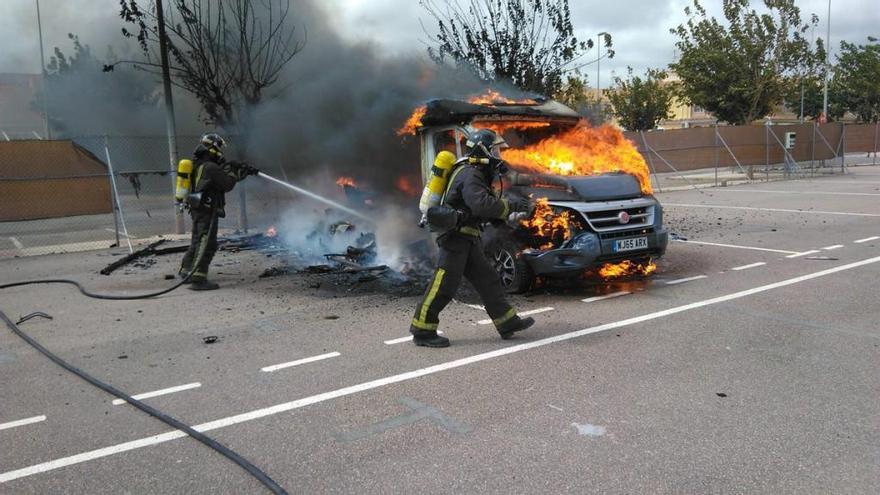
[227, 53]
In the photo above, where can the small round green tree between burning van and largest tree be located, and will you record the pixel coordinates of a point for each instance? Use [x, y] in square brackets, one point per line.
[640, 103]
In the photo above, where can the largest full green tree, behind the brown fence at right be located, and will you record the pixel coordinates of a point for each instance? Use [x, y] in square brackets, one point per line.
[740, 70]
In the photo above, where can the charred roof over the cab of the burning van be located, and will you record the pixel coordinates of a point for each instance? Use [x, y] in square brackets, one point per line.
[447, 112]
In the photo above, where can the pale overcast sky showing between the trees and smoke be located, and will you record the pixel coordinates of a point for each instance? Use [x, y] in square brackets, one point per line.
[640, 28]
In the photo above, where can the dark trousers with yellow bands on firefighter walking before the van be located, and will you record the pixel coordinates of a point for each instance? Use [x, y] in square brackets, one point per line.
[460, 256]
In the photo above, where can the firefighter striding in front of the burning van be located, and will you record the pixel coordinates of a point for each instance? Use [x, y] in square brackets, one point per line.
[460, 250]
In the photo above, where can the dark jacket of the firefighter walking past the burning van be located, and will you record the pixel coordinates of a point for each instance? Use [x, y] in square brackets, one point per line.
[470, 191]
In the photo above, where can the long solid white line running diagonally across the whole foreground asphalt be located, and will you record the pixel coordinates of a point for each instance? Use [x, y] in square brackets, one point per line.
[410, 375]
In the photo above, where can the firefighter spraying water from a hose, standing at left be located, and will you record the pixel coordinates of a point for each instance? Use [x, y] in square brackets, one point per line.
[213, 177]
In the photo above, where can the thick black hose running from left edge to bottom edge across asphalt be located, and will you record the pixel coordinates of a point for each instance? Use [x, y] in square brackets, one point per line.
[210, 442]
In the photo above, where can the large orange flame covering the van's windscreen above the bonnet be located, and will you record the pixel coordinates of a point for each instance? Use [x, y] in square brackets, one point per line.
[583, 150]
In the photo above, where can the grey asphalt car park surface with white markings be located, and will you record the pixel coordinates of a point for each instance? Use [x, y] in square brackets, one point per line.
[747, 364]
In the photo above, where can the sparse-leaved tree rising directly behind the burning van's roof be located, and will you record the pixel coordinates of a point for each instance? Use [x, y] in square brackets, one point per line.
[530, 43]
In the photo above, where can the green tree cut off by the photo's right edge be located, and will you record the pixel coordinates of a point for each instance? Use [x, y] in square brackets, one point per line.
[857, 79]
